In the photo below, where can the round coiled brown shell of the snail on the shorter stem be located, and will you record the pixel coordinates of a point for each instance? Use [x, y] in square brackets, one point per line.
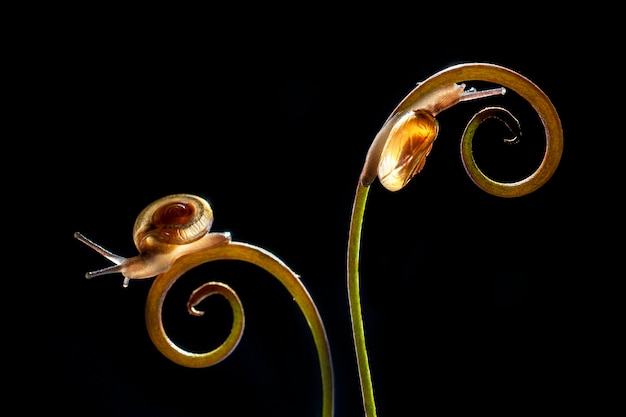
[176, 219]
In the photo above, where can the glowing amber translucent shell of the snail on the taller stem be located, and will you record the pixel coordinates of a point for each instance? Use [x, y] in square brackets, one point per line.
[408, 143]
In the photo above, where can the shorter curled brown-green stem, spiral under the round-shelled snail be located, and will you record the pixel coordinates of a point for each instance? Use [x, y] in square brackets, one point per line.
[261, 258]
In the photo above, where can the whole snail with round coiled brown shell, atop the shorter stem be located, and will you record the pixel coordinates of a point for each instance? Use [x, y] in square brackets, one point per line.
[164, 231]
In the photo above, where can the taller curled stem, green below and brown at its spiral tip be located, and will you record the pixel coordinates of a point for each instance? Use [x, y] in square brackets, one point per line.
[452, 75]
